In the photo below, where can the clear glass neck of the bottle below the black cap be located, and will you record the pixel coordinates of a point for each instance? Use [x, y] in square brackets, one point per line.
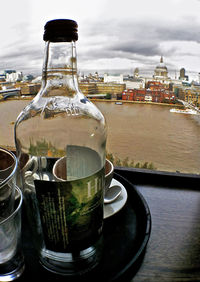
[60, 68]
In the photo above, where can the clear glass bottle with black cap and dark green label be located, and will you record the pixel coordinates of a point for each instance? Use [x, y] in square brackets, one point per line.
[60, 141]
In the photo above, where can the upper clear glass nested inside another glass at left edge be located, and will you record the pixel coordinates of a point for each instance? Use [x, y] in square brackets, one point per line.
[8, 168]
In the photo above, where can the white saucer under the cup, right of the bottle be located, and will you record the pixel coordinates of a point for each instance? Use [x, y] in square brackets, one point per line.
[117, 205]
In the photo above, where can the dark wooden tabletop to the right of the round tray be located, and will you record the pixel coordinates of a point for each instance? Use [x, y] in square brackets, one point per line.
[173, 250]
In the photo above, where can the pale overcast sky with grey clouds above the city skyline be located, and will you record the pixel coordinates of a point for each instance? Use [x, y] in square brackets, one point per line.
[113, 35]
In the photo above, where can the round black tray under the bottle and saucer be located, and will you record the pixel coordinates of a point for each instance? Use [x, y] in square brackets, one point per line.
[125, 235]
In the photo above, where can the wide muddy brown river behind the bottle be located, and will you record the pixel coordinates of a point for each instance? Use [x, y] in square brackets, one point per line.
[141, 132]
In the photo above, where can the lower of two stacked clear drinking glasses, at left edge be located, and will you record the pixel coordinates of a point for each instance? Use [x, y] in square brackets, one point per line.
[11, 257]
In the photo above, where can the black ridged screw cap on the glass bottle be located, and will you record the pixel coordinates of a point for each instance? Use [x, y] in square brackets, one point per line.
[61, 30]
